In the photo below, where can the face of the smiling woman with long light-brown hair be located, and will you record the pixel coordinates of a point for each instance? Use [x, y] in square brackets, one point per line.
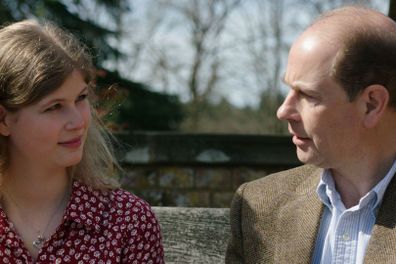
[51, 132]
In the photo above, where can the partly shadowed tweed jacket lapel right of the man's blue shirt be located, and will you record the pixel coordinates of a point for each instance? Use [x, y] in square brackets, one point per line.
[382, 245]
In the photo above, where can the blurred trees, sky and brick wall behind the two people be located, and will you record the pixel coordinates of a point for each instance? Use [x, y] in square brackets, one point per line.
[190, 87]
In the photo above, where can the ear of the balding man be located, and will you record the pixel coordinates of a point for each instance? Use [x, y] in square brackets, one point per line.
[375, 98]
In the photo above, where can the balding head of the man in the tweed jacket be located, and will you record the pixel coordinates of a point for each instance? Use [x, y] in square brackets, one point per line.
[342, 75]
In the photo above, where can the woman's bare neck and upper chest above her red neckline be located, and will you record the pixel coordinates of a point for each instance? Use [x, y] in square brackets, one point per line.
[35, 202]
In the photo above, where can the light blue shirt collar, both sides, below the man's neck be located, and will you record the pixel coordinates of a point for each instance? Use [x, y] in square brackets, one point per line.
[329, 195]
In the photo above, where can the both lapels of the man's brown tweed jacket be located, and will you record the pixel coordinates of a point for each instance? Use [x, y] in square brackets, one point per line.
[305, 210]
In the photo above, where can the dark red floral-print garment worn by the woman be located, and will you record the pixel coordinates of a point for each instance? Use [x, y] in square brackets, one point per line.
[100, 227]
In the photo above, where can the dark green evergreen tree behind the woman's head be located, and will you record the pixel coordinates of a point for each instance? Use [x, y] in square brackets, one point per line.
[98, 25]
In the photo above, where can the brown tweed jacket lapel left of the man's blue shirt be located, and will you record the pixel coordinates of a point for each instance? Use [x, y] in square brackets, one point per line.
[299, 221]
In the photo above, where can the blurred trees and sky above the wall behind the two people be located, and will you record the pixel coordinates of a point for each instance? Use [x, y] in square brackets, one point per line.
[211, 66]
